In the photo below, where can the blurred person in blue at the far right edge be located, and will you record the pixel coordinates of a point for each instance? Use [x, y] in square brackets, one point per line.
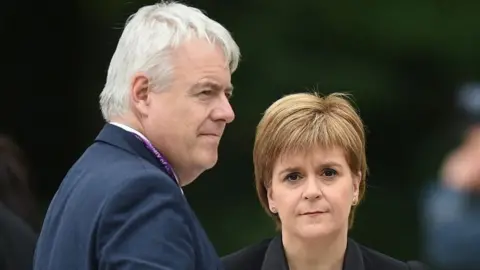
[451, 214]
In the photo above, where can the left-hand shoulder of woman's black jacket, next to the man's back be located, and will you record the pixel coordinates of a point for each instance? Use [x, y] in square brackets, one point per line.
[247, 258]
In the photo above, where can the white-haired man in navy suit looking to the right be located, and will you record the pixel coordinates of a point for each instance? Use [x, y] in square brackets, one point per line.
[166, 103]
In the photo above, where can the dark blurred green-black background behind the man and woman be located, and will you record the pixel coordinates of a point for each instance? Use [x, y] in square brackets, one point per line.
[402, 61]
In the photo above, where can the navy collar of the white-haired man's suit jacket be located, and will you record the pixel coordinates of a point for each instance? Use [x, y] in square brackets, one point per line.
[127, 141]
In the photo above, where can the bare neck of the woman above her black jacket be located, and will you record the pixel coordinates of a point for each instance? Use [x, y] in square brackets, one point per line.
[325, 253]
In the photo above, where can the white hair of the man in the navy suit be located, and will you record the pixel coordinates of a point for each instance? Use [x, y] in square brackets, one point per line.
[144, 46]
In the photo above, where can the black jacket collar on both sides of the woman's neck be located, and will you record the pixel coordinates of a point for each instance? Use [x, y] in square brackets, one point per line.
[275, 256]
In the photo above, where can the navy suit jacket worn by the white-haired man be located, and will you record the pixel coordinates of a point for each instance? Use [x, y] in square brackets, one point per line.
[118, 209]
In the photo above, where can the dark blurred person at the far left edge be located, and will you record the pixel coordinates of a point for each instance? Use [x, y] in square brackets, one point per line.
[17, 213]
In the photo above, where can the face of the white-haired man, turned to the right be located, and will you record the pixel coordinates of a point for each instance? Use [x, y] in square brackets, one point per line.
[186, 121]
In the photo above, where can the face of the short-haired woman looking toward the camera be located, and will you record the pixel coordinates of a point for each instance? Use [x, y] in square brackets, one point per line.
[313, 192]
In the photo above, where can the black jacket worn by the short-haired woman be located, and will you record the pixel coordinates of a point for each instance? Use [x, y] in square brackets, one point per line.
[269, 255]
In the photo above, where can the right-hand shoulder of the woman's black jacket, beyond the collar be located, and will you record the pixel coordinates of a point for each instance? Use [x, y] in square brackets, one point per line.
[376, 260]
